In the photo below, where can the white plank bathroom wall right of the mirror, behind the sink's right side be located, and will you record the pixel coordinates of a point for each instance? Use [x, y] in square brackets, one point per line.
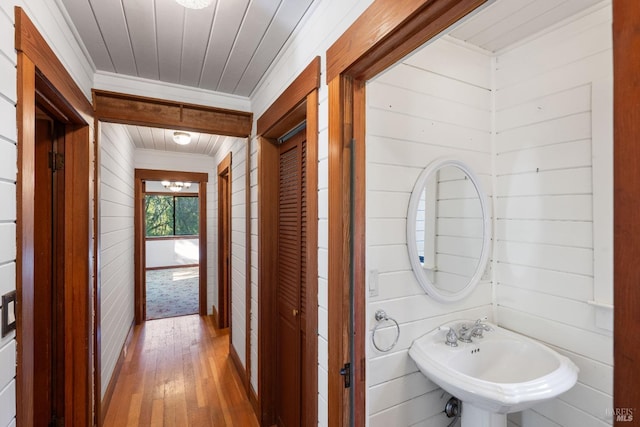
[544, 207]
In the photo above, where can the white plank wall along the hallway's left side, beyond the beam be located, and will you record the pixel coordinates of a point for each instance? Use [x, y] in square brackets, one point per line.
[116, 243]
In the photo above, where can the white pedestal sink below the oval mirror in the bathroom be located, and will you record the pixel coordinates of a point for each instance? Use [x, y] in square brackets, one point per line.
[499, 373]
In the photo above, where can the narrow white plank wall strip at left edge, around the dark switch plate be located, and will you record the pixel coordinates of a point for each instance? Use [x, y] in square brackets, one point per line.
[8, 153]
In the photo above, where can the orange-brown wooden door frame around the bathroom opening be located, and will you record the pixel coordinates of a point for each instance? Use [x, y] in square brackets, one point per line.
[384, 33]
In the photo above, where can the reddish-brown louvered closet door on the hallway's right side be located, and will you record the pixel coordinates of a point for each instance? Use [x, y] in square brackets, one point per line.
[291, 280]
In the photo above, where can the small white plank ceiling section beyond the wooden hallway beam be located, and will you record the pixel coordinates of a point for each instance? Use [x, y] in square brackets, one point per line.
[162, 139]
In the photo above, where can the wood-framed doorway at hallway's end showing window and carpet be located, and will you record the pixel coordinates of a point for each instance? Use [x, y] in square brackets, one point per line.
[170, 244]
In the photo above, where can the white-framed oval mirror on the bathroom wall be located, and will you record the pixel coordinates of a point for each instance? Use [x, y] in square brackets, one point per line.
[448, 230]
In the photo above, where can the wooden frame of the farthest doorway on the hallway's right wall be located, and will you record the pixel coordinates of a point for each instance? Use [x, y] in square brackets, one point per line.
[223, 317]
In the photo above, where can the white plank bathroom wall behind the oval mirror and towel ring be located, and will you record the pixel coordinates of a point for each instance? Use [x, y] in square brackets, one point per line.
[435, 103]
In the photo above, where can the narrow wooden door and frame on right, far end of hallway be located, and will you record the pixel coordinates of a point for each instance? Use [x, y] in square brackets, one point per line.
[224, 243]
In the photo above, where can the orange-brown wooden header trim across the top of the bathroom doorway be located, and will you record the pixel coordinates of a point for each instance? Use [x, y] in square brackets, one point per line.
[389, 30]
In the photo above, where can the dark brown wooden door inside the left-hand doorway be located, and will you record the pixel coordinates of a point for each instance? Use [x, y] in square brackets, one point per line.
[49, 273]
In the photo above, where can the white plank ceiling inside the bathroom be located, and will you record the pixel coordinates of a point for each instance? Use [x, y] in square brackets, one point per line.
[507, 22]
